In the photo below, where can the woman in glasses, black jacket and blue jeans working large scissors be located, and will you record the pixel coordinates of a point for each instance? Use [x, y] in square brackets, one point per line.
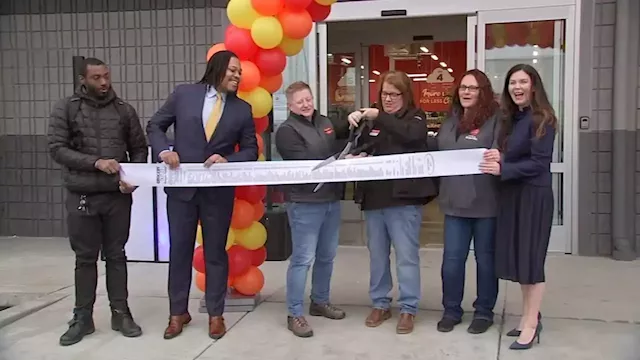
[393, 208]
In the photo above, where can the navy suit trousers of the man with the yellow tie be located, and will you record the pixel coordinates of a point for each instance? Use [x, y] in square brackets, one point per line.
[214, 213]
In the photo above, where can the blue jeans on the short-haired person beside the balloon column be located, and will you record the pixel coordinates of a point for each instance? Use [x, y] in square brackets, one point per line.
[315, 229]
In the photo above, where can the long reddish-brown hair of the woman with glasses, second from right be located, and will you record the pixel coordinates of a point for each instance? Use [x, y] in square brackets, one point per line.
[485, 107]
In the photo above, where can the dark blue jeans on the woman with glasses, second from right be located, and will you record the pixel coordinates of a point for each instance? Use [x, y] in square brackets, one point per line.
[458, 232]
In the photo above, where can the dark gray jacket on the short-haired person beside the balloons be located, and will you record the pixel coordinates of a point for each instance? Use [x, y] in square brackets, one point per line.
[299, 138]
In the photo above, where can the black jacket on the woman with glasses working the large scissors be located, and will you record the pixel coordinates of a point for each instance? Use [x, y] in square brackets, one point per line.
[389, 134]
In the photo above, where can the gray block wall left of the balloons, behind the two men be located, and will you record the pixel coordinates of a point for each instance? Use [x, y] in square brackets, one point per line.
[149, 48]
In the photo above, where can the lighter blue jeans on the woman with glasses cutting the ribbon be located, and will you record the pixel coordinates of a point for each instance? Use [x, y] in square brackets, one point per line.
[399, 226]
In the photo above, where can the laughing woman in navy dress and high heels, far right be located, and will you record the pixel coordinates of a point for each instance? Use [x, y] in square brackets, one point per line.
[525, 204]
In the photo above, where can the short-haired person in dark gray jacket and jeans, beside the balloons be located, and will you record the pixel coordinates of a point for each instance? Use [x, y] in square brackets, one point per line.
[313, 210]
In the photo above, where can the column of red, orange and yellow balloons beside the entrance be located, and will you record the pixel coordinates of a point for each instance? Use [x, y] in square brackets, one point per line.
[262, 34]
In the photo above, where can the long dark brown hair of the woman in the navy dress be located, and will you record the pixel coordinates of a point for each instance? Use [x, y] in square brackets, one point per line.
[543, 113]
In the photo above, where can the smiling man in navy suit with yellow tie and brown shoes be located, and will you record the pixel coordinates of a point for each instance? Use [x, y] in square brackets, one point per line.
[209, 121]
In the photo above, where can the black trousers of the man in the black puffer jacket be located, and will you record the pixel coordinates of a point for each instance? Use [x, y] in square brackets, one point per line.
[95, 222]
